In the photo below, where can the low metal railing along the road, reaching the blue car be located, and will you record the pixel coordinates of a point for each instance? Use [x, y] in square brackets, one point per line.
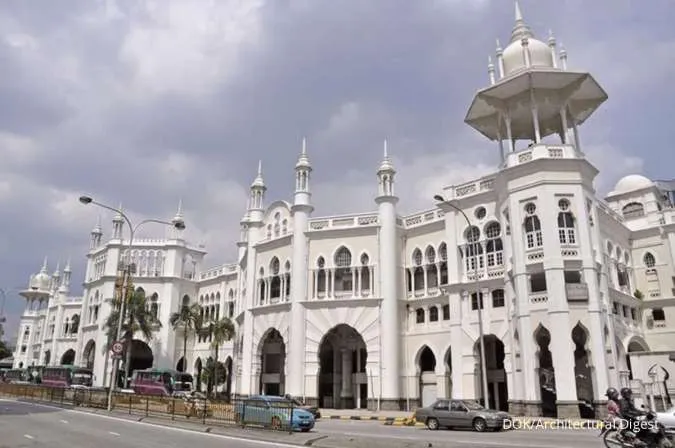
[278, 415]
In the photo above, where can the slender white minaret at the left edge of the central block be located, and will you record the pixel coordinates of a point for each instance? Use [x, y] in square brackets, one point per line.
[255, 216]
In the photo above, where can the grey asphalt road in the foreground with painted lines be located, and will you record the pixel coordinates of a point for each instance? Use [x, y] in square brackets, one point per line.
[25, 425]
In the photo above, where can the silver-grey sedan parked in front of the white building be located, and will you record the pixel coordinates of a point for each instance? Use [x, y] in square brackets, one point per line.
[461, 414]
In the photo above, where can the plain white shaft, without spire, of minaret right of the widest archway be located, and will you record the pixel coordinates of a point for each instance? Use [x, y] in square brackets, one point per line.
[391, 320]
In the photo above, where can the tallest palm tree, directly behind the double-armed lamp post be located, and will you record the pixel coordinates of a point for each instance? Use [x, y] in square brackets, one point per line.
[137, 318]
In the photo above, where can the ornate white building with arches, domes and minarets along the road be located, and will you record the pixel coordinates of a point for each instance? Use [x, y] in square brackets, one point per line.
[571, 284]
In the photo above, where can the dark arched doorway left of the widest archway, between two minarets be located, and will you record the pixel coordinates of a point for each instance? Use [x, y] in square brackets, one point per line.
[272, 363]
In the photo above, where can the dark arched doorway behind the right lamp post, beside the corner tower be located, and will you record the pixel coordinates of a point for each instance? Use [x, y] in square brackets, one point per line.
[498, 397]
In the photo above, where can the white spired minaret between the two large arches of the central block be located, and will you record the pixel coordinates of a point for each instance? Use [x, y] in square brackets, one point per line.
[300, 211]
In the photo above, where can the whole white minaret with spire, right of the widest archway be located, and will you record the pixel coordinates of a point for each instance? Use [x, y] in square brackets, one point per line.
[389, 258]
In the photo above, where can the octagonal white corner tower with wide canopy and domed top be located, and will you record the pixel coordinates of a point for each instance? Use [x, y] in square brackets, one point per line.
[532, 98]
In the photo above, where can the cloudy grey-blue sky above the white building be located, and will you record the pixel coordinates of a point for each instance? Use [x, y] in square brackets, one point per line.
[146, 103]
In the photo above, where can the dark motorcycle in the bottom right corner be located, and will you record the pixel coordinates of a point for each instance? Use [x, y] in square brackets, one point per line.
[646, 432]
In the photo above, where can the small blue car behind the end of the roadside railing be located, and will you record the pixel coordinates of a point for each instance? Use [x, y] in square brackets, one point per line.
[273, 411]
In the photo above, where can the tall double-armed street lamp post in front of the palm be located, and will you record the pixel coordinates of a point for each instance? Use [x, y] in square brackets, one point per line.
[128, 268]
